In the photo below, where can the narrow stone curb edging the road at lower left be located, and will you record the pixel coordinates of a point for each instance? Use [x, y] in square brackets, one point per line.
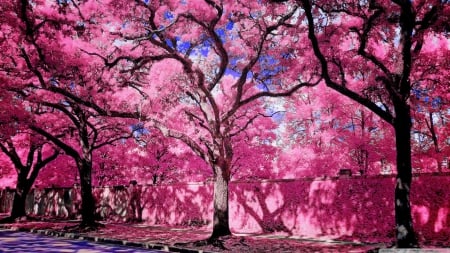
[144, 245]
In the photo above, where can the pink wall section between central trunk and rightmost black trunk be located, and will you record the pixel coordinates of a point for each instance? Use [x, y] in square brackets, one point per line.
[361, 209]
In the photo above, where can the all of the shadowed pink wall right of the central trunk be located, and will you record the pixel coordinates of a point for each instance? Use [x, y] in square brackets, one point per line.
[357, 209]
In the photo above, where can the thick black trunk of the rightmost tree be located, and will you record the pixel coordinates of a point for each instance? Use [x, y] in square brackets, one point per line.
[403, 219]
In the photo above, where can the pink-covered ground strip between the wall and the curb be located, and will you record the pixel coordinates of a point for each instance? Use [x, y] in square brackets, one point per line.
[191, 237]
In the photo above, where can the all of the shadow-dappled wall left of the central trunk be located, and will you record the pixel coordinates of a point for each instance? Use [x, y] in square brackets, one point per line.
[177, 204]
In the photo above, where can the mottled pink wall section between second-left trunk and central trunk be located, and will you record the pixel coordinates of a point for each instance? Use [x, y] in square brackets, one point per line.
[178, 204]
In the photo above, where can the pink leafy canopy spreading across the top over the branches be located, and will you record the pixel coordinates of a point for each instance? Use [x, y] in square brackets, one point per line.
[136, 57]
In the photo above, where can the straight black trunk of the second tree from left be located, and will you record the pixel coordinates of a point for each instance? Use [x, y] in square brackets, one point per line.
[87, 199]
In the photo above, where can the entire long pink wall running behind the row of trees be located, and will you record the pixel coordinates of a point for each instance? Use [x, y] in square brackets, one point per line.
[354, 208]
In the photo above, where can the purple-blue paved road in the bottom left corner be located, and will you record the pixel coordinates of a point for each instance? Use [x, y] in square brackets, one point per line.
[11, 241]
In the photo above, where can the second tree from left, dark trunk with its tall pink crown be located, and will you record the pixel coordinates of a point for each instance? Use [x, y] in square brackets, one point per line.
[49, 72]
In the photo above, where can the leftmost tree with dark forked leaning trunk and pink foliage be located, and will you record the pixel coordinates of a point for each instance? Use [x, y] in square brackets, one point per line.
[28, 153]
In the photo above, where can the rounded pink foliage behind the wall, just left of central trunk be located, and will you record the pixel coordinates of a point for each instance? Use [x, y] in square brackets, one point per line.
[151, 159]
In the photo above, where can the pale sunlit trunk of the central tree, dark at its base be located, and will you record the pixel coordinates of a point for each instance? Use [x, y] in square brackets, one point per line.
[221, 225]
